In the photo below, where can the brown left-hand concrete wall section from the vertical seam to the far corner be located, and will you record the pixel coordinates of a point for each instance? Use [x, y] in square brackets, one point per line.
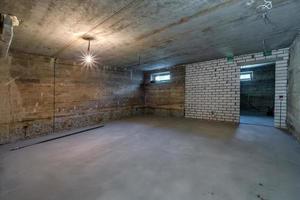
[87, 97]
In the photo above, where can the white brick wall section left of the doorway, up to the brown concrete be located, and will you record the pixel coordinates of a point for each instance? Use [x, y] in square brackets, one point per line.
[212, 91]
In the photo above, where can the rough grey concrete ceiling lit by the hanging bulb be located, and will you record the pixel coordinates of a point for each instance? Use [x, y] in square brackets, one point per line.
[161, 32]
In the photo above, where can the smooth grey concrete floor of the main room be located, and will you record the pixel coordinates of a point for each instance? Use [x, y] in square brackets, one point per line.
[153, 158]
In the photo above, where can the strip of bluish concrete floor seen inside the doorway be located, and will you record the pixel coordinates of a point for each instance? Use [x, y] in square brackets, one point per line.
[257, 120]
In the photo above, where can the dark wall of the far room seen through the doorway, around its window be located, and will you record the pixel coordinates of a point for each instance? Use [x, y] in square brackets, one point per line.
[257, 95]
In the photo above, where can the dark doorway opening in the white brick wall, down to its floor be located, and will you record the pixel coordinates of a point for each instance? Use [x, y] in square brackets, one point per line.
[257, 94]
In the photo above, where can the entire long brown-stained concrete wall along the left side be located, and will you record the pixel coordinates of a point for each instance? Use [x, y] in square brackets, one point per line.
[82, 97]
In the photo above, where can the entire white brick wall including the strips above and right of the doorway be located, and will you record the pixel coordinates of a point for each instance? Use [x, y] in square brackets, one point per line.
[212, 88]
